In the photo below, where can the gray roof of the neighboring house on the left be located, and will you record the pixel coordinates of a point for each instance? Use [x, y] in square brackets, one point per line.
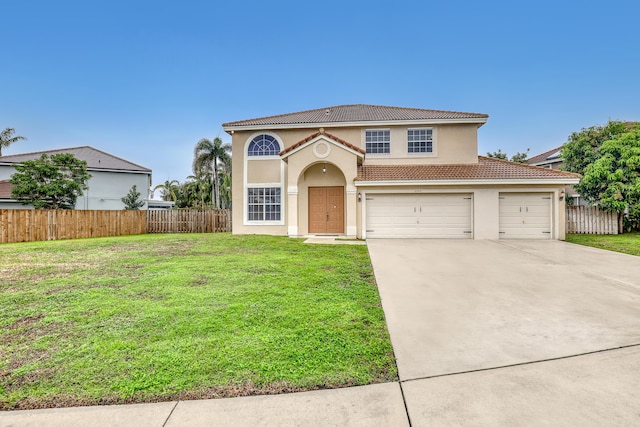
[96, 159]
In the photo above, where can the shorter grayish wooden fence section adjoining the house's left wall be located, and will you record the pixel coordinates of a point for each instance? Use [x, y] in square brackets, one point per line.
[189, 221]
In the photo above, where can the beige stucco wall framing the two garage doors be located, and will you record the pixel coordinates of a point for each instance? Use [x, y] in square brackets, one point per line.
[485, 215]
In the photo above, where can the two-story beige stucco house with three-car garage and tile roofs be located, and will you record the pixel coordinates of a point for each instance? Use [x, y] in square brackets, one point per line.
[369, 171]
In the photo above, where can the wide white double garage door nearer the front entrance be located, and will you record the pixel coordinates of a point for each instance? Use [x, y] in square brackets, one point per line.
[419, 215]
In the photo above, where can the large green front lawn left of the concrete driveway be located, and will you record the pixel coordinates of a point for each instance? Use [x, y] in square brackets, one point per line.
[160, 317]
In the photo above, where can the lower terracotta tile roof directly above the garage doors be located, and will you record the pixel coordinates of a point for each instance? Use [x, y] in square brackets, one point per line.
[486, 168]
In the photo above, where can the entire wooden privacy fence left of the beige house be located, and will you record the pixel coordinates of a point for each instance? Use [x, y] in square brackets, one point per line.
[26, 225]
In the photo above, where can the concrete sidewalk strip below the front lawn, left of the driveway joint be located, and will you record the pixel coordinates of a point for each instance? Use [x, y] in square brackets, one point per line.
[378, 404]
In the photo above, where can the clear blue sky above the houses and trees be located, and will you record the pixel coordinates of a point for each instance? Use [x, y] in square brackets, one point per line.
[145, 80]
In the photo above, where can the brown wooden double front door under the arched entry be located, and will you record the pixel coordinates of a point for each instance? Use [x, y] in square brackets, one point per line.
[326, 209]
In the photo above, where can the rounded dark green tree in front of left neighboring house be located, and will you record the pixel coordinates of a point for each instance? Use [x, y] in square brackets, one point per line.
[50, 182]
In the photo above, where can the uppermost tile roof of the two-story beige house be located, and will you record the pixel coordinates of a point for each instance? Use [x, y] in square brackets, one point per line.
[357, 113]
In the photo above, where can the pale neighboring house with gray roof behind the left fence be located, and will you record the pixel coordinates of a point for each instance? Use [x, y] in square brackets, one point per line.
[111, 178]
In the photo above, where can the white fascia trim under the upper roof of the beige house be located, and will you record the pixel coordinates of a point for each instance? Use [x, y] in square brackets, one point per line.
[479, 121]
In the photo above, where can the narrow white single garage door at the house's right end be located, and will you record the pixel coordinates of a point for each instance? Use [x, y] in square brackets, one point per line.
[525, 215]
